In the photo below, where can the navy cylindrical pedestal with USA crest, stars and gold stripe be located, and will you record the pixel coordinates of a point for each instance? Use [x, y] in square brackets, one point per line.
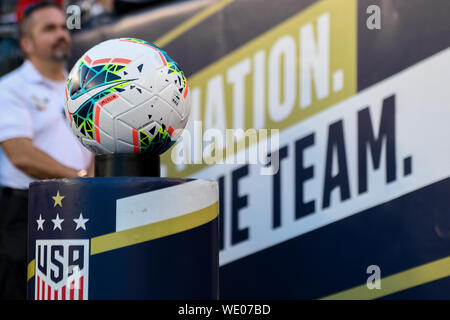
[84, 242]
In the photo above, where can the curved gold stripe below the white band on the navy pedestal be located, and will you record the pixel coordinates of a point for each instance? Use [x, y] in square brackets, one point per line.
[153, 231]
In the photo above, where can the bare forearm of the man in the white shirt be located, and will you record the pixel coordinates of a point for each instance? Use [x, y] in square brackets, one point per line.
[33, 161]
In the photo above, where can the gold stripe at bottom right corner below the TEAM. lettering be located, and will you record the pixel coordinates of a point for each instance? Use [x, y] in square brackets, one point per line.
[397, 282]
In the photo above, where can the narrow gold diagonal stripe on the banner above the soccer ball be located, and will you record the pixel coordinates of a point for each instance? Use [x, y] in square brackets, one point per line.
[190, 23]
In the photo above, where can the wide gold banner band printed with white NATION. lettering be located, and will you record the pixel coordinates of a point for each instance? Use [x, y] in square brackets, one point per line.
[215, 94]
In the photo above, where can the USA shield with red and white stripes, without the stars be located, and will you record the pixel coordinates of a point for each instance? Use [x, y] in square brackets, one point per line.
[62, 269]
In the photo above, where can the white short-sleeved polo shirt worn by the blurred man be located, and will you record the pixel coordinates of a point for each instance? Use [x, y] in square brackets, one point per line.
[32, 106]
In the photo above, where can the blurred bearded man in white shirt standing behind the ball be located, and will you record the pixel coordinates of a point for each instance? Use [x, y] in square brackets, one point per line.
[36, 142]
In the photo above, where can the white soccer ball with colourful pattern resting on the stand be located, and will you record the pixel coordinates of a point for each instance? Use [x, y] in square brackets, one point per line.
[127, 96]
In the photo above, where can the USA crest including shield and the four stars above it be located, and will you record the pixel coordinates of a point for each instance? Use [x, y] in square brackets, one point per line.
[62, 251]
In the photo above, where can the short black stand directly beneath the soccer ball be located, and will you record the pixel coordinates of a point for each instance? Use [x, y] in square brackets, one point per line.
[127, 164]
